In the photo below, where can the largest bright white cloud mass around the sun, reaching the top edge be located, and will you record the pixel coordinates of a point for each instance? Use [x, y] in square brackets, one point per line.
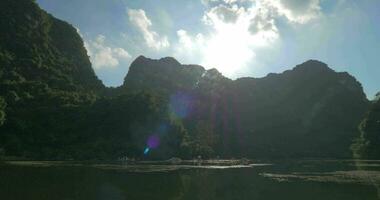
[238, 28]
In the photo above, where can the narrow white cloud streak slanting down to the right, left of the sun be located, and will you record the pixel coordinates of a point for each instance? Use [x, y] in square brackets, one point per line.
[139, 19]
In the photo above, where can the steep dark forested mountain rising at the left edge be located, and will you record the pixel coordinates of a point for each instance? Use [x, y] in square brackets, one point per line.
[44, 73]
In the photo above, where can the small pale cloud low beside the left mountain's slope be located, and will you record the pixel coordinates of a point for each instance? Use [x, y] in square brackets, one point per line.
[103, 56]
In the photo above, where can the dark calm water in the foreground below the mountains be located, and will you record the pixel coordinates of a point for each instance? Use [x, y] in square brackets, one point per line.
[306, 180]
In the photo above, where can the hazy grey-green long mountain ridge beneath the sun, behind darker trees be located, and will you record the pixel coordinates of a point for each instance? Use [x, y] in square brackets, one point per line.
[309, 111]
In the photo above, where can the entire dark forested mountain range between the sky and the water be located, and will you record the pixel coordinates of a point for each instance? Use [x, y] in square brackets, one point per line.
[52, 105]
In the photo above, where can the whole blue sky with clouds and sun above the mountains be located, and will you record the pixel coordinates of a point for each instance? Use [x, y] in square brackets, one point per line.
[240, 38]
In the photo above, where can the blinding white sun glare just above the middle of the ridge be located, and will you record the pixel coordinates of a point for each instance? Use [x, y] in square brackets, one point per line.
[231, 46]
